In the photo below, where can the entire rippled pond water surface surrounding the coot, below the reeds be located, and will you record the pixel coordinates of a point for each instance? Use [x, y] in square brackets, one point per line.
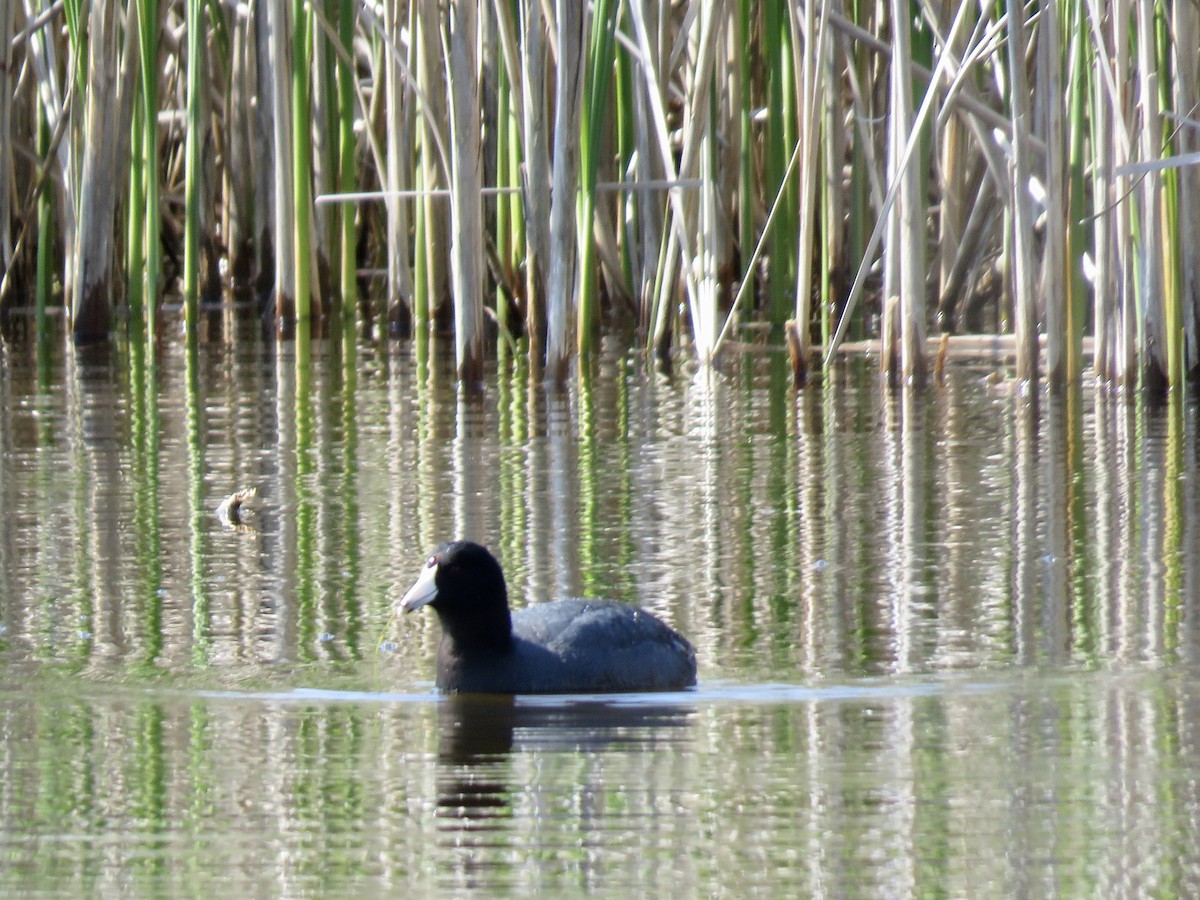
[949, 643]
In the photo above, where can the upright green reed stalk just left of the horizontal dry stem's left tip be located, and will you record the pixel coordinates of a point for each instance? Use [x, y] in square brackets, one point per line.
[302, 160]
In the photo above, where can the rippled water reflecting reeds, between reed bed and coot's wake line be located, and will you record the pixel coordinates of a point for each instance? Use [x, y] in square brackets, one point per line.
[830, 532]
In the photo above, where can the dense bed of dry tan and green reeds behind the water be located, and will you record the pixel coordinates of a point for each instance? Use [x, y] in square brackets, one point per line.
[712, 170]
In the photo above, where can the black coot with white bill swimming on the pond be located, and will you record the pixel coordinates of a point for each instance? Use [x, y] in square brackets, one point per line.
[561, 647]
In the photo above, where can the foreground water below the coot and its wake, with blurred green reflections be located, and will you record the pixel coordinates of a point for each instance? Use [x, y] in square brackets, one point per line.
[1073, 787]
